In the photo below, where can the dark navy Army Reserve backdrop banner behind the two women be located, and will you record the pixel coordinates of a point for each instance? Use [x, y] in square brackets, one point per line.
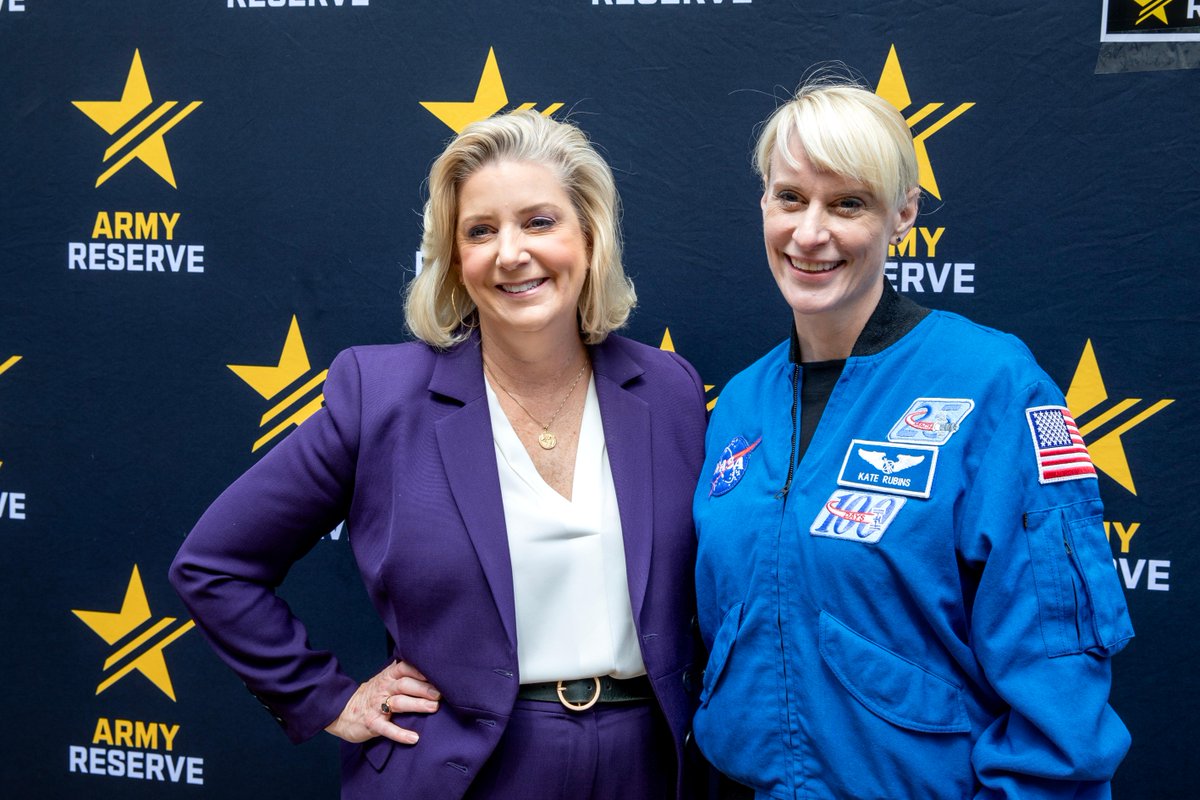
[203, 202]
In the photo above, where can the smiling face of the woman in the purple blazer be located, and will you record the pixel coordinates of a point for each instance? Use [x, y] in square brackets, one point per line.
[521, 250]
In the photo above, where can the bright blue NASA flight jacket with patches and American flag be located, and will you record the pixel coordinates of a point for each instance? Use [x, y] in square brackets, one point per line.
[929, 607]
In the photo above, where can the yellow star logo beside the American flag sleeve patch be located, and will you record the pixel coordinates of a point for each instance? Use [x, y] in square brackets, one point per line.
[1088, 394]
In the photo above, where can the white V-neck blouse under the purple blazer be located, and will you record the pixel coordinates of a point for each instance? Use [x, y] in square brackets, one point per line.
[574, 617]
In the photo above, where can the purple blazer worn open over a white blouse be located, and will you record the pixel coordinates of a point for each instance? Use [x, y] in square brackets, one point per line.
[404, 453]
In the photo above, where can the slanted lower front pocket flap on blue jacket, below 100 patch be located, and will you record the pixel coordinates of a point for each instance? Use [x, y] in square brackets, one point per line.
[891, 687]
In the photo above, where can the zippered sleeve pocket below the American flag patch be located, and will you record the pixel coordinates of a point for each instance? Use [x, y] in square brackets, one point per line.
[1081, 606]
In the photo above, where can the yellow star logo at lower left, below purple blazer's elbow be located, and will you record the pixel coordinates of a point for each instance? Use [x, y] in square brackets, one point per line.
[140, 653]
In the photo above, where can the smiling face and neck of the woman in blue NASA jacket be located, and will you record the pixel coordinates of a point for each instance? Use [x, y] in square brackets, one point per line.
[827, 238]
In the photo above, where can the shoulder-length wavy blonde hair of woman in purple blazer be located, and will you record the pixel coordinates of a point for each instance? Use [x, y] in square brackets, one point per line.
[436, 310]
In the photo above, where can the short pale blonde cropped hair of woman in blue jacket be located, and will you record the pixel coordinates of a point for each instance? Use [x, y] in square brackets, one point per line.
[847, 130]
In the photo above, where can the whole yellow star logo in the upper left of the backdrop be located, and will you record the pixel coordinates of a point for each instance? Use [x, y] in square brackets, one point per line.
[115, 115]
